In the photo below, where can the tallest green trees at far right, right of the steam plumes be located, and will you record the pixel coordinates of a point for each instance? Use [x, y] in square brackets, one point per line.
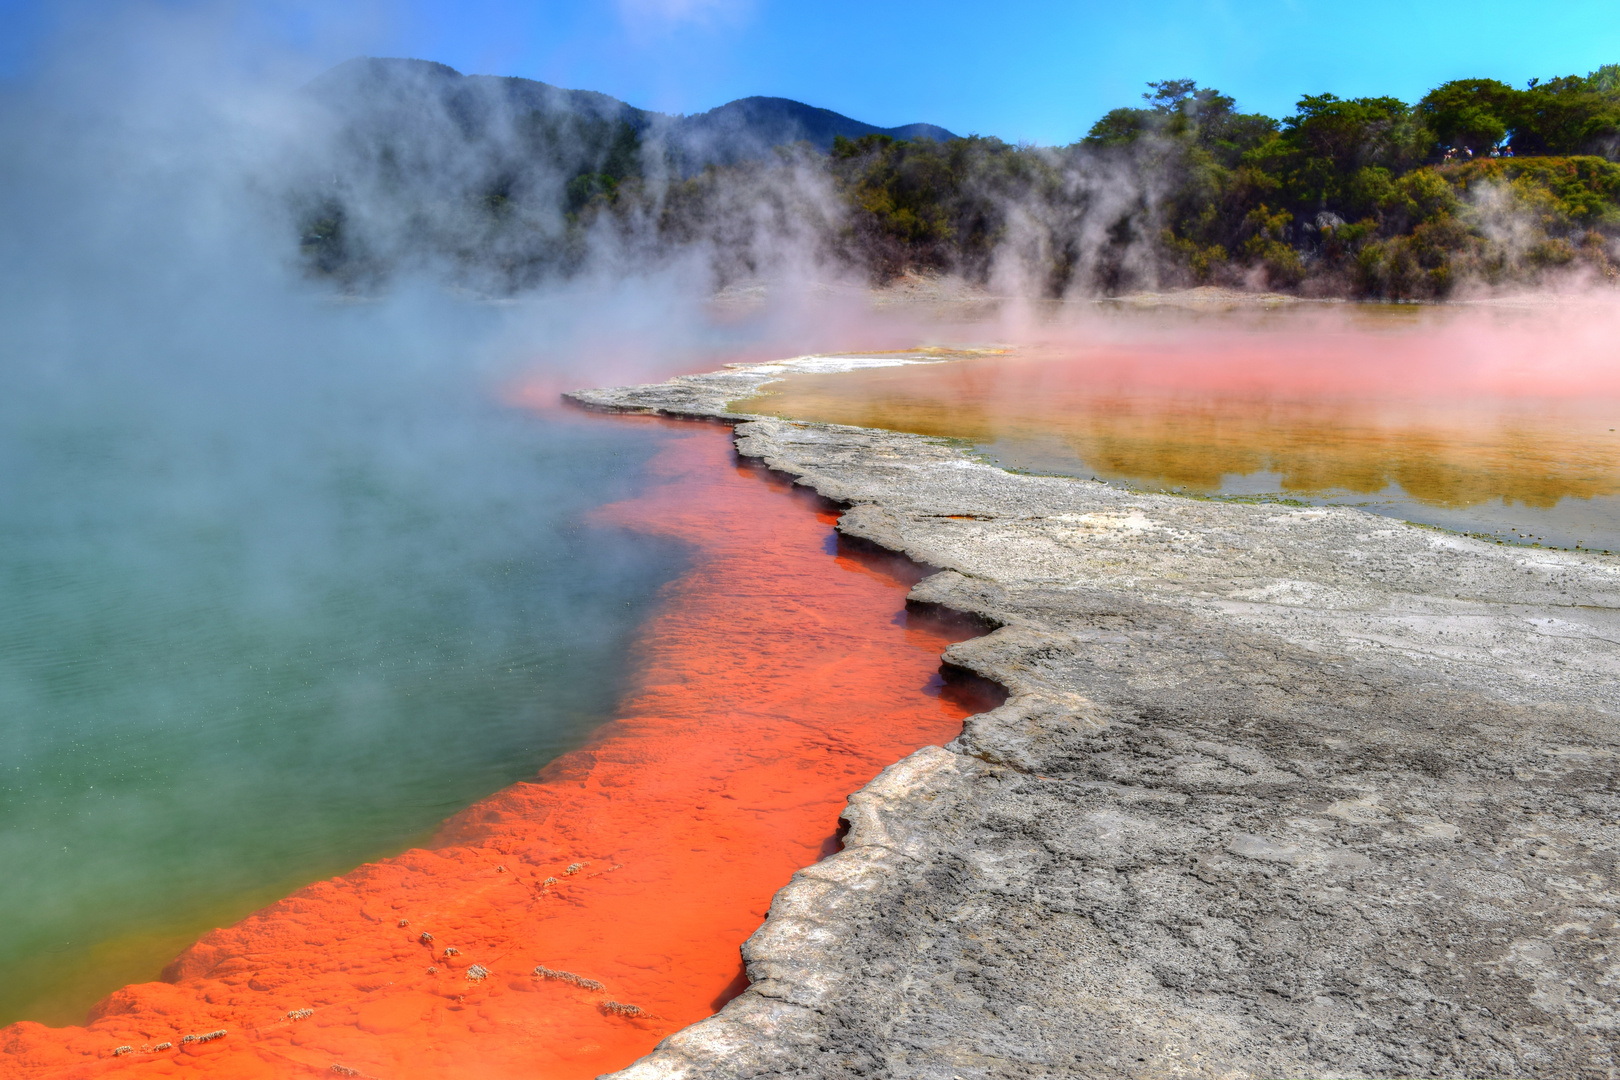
[1478, 182]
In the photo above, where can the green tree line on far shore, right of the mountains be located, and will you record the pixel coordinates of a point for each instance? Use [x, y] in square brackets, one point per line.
[1478, 182]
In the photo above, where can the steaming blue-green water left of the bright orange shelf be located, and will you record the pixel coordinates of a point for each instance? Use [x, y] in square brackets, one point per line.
[271, 610]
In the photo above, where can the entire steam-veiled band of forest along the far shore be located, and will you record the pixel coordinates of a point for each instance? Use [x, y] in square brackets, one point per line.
[1477, 185]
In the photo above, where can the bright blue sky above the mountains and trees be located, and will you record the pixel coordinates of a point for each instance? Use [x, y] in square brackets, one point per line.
[1018, 69]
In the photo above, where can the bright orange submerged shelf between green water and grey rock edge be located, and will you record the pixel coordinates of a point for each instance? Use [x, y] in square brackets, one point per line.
[777, 679]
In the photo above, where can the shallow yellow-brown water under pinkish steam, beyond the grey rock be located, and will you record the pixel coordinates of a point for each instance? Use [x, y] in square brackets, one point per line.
[1501, 425]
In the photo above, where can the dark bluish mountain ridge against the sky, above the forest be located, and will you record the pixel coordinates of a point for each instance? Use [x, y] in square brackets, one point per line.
[741, 130]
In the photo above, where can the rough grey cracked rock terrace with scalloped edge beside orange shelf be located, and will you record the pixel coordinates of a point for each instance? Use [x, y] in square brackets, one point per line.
[1277, 793]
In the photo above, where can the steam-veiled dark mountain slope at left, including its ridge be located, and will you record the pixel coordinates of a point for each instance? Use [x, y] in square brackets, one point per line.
[411, 164]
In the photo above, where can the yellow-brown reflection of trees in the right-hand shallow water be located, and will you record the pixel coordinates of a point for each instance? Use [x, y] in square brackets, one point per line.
[1444, 457]
